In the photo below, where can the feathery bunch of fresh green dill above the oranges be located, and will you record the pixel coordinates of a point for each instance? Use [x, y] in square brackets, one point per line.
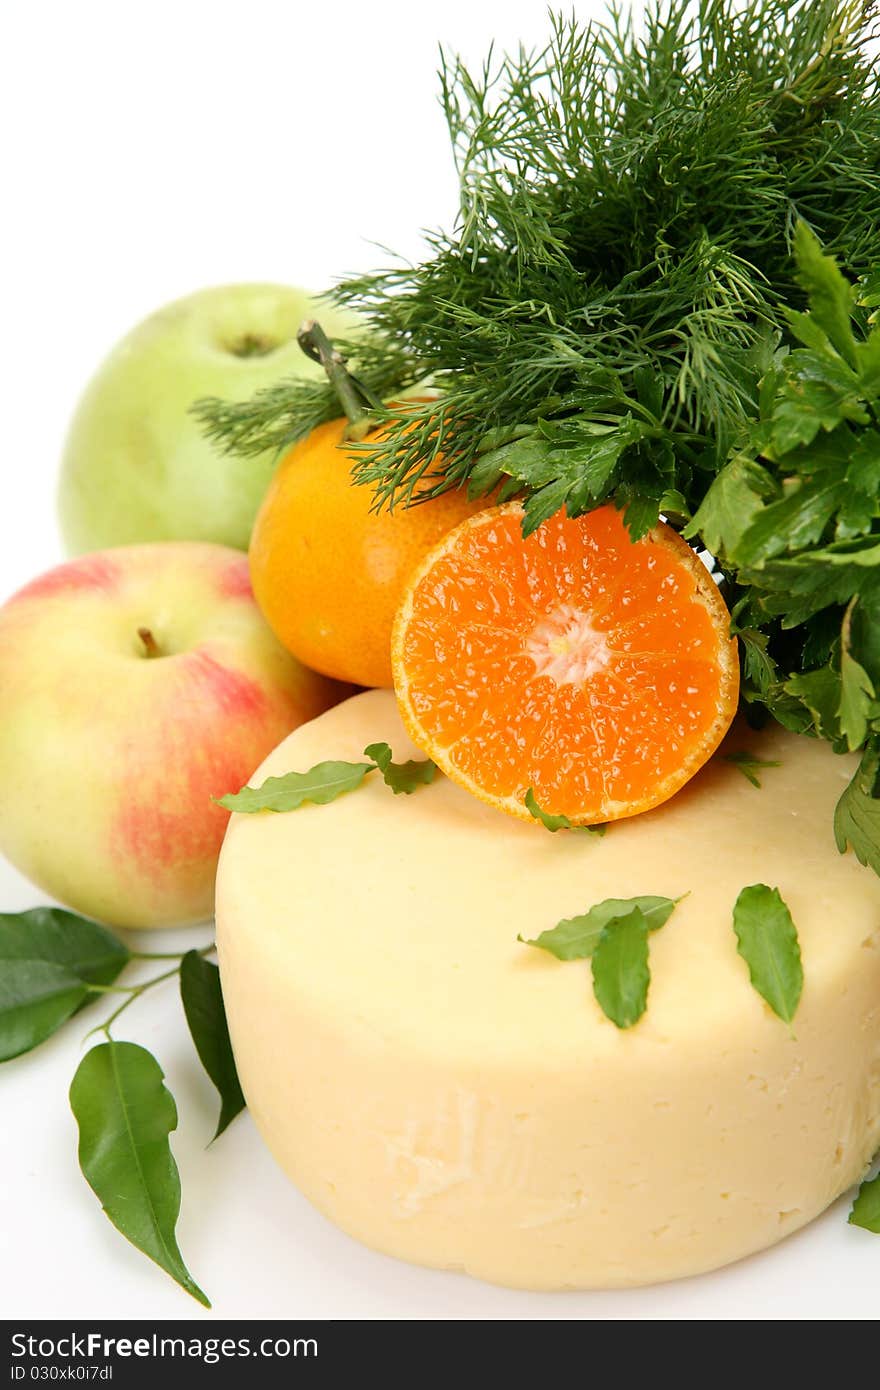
[600, 318]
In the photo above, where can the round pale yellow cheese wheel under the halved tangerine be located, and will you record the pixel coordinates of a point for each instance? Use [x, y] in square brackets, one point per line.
[458, 1099]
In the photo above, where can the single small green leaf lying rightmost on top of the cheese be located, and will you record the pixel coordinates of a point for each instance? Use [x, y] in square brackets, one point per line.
[768, 942]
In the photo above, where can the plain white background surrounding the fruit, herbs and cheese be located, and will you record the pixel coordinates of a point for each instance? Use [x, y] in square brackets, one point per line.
[152, 151]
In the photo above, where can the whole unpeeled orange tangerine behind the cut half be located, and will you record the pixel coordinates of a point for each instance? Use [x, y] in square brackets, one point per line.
[327, 572]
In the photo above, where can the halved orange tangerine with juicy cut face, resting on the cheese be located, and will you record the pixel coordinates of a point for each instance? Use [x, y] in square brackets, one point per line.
[592, 668]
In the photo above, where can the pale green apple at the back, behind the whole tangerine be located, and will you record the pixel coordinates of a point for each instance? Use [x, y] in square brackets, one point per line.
[137, 464]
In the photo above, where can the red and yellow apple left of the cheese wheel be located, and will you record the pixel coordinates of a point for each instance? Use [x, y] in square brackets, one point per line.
[136, 685]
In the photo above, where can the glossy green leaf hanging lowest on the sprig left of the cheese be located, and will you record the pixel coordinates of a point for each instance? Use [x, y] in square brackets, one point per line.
[126, 1115]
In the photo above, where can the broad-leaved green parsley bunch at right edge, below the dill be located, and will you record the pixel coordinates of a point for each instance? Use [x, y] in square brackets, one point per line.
[795, 519]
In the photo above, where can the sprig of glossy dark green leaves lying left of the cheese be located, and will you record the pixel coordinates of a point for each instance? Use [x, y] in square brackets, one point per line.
[52, 965]
